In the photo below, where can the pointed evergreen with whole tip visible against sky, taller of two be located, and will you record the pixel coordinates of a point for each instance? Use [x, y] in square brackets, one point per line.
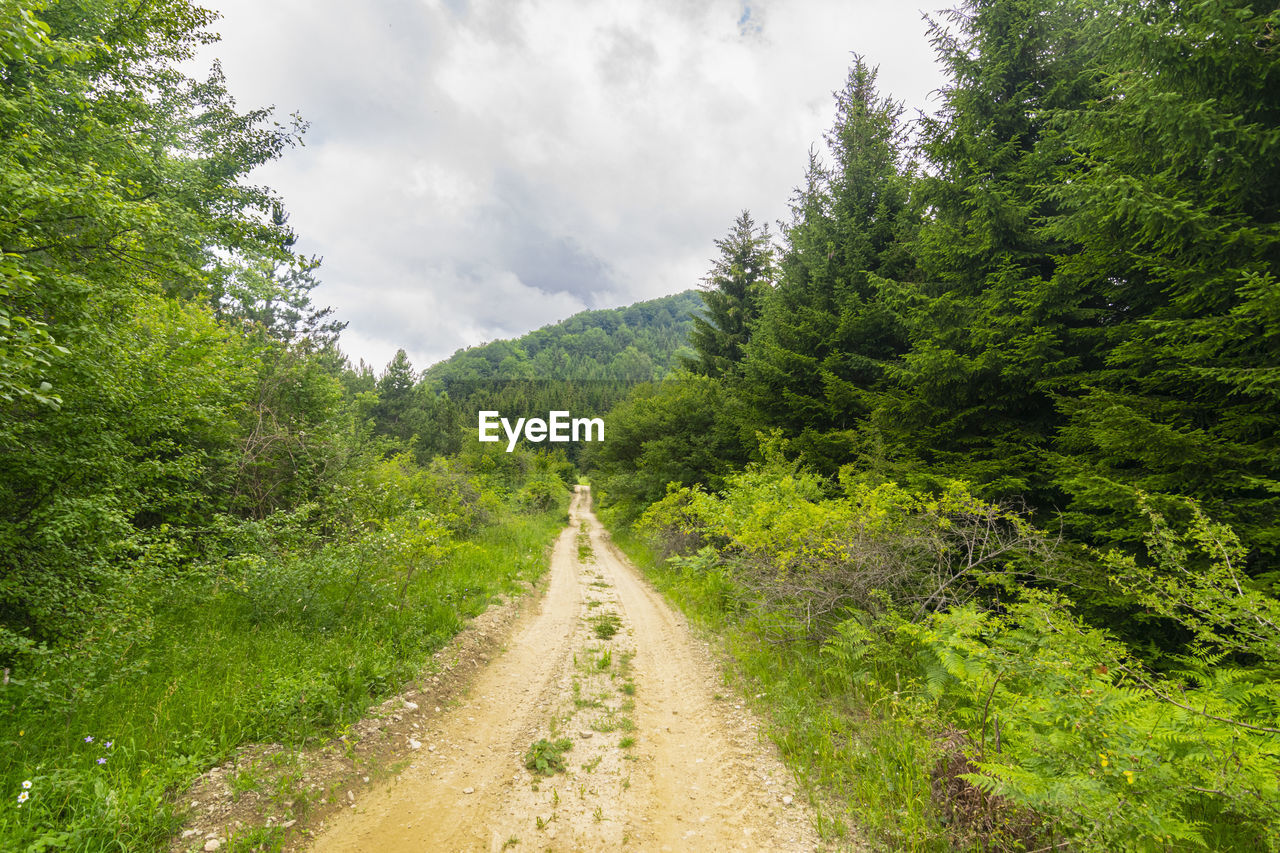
[826, 331]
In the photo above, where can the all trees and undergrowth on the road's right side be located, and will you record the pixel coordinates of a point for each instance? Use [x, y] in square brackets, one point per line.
[977, 466]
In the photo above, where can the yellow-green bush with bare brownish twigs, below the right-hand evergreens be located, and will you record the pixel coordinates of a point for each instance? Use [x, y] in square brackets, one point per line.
[815, 558]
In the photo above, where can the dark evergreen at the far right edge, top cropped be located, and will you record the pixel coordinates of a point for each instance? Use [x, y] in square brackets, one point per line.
[1176, 202]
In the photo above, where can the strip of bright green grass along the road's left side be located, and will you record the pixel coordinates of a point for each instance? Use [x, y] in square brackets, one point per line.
[223, 664]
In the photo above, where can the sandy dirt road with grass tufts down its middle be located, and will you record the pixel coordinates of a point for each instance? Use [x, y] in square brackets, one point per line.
[662, 758]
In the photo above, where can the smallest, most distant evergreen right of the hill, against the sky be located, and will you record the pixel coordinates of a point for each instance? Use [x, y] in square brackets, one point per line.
[732, 294]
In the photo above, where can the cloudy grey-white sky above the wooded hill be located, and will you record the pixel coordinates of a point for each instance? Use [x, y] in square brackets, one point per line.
[476, 170]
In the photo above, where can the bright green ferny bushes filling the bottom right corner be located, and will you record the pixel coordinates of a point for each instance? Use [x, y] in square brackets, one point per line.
[1068, 723]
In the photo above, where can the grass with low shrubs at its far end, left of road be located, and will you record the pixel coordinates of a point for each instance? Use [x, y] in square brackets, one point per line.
[287, 638]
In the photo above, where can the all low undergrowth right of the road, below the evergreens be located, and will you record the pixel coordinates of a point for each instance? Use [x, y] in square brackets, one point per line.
[996, 718]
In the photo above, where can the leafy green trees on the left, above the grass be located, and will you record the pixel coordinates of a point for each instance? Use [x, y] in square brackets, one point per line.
[141, 394]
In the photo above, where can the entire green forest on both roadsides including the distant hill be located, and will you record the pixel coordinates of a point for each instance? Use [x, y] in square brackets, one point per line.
[972, 464]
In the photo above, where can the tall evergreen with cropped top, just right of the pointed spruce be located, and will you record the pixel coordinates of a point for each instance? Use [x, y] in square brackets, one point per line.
[995, 331]
